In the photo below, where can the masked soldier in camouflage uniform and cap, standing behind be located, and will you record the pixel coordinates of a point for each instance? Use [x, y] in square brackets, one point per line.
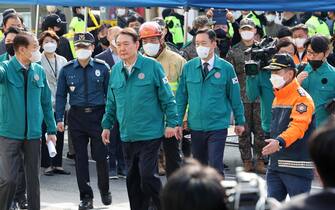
[237, 57]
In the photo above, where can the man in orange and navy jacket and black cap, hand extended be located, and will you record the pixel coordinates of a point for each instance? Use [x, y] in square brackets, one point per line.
[290, 169]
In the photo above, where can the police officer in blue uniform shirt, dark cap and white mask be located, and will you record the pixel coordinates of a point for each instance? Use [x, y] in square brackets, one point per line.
[86, 81]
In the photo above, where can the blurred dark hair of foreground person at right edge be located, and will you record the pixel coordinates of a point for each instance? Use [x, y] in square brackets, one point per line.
[321, 149]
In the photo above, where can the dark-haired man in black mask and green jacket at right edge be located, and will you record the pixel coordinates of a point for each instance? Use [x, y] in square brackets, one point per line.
[318, 76]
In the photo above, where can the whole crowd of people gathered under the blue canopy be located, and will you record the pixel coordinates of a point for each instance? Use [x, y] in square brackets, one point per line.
[135, 92]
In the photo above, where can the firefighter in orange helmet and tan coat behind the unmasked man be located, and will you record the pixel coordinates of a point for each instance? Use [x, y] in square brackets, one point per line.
[155, 47]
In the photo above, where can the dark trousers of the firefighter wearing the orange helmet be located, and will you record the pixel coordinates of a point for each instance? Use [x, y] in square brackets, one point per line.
[172, 155]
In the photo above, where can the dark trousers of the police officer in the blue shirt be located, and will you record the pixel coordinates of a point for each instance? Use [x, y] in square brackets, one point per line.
[85, 128]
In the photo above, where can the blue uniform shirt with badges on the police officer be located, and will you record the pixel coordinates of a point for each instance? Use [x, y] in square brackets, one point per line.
[72, 79]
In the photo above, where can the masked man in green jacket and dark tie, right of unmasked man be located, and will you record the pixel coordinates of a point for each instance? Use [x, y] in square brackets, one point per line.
[210, 87]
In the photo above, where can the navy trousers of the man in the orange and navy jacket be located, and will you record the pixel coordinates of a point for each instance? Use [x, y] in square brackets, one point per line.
[281, 184]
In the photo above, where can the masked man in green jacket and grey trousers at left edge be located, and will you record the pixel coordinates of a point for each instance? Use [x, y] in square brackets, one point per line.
[25, 100]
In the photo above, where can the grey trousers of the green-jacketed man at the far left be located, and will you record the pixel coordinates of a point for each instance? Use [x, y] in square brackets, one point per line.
[11, 152]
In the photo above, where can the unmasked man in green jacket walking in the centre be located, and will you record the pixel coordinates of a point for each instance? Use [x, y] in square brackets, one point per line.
[141, 100]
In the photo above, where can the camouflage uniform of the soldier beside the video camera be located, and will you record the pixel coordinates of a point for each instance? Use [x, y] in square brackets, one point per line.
[237, 57]
